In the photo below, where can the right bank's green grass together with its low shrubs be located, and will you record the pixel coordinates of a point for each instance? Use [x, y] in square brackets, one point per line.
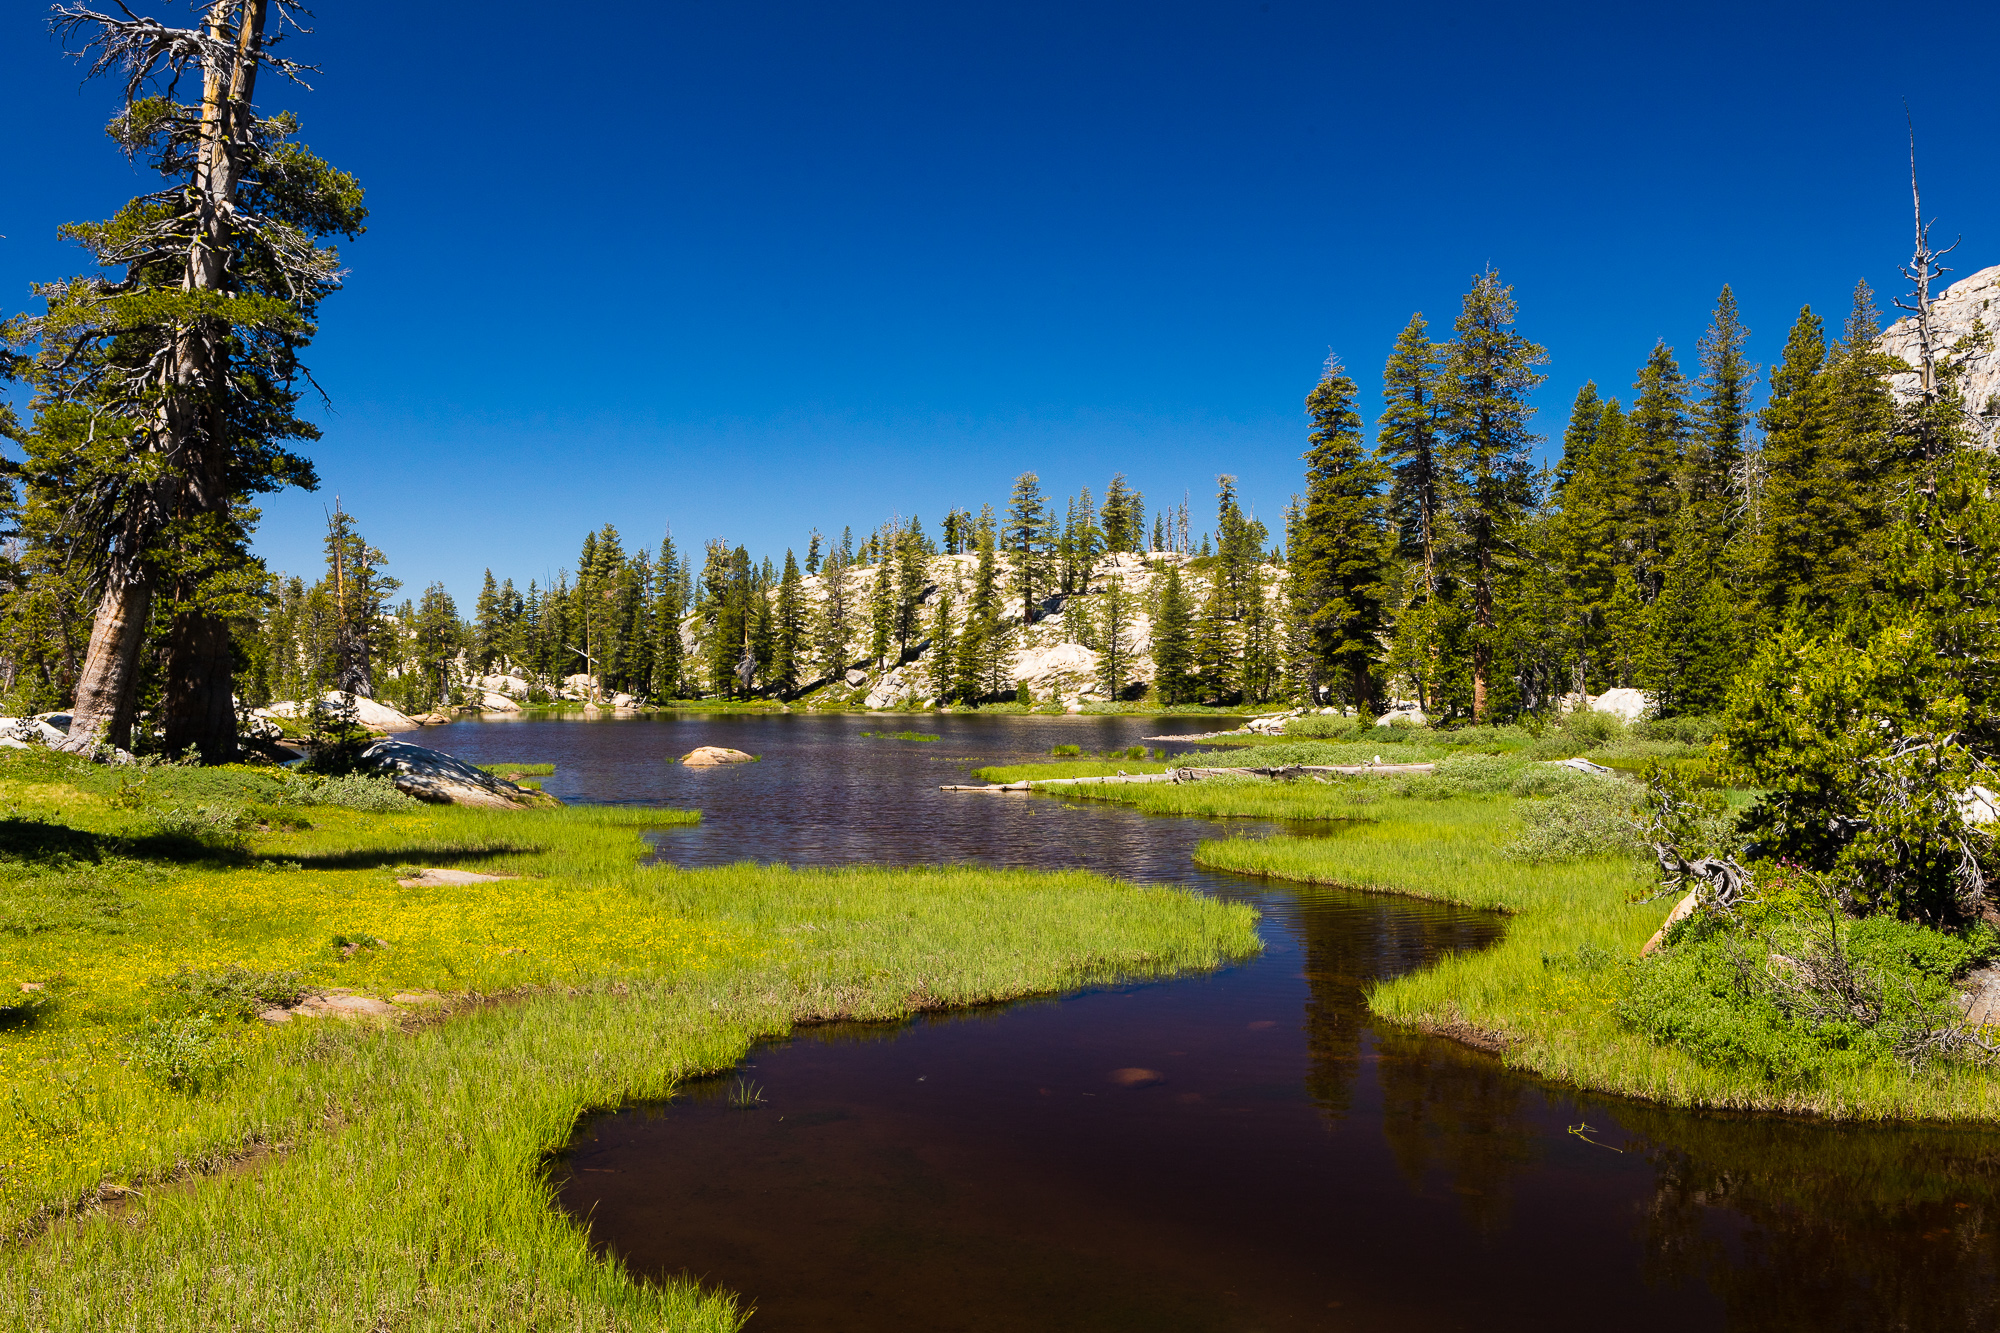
[1785, 1004]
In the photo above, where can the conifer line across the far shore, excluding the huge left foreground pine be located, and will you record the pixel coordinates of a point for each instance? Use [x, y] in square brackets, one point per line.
[1679, 529]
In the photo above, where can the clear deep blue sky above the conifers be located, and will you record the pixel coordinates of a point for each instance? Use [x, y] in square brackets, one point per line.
[745, 269]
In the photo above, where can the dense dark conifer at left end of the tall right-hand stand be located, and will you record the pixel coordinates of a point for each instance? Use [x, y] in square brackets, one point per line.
[1339, 545]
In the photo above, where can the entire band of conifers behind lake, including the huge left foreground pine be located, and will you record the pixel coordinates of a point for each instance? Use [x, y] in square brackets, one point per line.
[1681, 527]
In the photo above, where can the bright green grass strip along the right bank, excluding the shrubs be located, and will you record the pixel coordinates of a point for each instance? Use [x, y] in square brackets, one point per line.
[1549, 994]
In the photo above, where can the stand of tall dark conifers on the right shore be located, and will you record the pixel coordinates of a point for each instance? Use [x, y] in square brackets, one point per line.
[1679, 529]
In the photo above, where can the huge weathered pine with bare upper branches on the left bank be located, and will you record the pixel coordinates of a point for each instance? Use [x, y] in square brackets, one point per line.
[167, 387]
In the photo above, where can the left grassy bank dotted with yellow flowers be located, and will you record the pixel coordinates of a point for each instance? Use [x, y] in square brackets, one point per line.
[395, 1170]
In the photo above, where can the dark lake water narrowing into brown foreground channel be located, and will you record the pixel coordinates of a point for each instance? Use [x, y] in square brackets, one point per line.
[1245, 1150]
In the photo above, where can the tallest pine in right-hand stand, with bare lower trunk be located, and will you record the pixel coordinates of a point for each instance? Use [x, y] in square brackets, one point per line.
[1489, 375]
